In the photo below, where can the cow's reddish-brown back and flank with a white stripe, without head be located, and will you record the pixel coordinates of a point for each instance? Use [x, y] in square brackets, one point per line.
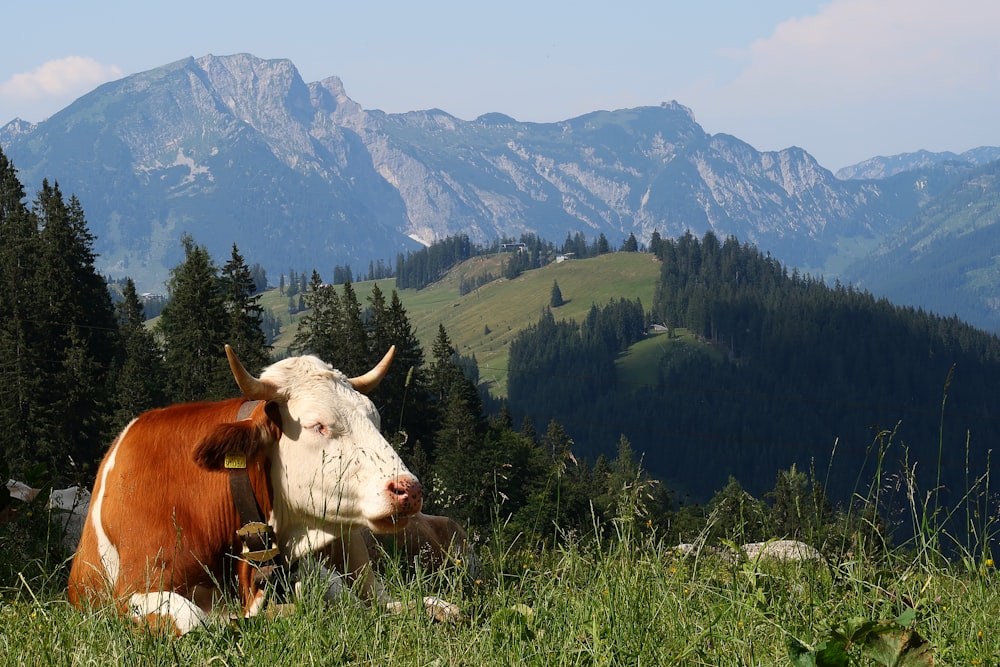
[157, 520]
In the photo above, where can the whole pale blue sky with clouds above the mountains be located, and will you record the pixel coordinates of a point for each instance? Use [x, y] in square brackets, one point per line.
[845, 80]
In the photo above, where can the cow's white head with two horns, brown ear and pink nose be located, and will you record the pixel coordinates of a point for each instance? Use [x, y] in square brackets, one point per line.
[330, 466]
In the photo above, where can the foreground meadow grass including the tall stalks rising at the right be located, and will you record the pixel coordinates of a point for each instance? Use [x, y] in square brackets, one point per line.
[620, 595]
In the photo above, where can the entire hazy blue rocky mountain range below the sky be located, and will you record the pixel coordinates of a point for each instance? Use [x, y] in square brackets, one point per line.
[240, 149]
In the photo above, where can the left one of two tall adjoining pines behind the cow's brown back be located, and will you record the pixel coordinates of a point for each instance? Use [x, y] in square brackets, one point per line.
[194, 326]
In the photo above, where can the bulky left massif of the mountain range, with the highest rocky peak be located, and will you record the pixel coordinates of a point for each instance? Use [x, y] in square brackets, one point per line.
[226, 149]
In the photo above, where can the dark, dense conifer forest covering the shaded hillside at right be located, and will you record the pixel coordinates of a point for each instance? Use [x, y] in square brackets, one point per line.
[792, 371]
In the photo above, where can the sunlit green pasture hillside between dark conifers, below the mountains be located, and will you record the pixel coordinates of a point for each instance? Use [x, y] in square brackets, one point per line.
[484, 321]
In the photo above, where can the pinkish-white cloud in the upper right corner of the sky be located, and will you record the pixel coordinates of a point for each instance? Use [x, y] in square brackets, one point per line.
[859, 51]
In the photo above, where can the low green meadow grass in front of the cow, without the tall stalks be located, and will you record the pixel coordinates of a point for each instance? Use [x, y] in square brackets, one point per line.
[629, 600]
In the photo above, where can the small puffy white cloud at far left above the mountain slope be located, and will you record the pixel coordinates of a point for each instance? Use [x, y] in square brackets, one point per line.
[58, 79]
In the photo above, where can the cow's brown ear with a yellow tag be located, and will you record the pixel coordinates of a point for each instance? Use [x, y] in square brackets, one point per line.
[240, 443]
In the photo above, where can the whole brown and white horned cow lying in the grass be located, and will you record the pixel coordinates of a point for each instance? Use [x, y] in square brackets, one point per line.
[159, 537]
